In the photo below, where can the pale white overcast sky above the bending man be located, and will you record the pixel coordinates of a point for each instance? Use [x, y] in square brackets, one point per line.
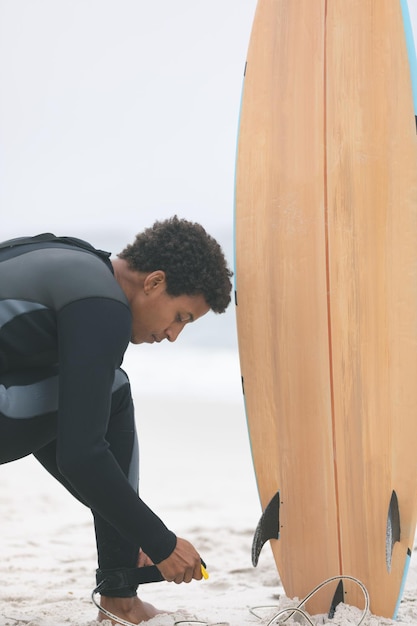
[114, 113]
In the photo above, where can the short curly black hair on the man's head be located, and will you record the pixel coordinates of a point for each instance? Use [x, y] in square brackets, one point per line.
[192, 260]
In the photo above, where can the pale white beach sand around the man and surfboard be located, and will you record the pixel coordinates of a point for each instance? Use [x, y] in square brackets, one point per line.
[196, 473]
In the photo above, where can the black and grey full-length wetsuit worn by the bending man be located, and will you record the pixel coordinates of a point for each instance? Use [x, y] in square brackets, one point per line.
[65, 324]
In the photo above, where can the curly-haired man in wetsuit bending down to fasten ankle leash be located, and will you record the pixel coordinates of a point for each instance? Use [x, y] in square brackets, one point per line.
[67, 314]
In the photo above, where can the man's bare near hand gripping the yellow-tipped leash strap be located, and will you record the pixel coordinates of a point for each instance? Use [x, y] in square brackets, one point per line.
[182, 565]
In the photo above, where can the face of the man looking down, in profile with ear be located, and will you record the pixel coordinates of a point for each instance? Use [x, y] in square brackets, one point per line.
[158, 316]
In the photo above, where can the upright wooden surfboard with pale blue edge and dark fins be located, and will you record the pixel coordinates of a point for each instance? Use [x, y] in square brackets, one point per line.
[326, 293]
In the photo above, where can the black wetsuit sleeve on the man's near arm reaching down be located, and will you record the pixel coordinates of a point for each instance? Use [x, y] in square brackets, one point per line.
[93, 335]
